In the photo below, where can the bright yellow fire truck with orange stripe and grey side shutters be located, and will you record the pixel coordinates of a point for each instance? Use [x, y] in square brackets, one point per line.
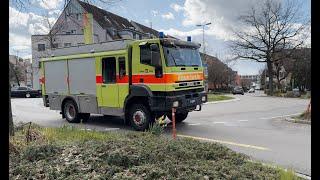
[139, 80]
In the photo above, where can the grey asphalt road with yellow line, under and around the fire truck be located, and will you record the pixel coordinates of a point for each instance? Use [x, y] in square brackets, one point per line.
[251, 125]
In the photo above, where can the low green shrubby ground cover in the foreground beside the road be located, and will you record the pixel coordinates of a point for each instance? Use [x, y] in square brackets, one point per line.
[71, 153]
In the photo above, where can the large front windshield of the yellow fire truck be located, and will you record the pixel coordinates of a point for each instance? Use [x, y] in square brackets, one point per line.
[178, 56]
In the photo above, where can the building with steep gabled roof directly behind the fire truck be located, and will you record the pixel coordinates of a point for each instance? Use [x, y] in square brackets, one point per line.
[68, 31]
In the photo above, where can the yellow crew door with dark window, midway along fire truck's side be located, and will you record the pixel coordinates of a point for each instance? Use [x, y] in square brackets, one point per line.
[109, 87]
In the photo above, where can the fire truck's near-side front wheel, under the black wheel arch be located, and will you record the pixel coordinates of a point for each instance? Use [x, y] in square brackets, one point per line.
[139, 117]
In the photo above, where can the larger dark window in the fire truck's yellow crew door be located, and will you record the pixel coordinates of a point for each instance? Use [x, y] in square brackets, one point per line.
[109, 70]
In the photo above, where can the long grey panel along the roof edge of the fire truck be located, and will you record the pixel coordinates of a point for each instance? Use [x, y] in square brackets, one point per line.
[90, 48]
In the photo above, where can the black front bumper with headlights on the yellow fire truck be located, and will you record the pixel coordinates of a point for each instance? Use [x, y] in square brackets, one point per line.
[186, 102]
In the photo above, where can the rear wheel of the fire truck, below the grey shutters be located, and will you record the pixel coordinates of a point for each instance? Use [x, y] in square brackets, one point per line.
[70, 112]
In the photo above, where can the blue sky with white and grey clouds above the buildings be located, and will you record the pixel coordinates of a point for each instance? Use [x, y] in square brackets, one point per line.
[177, 18]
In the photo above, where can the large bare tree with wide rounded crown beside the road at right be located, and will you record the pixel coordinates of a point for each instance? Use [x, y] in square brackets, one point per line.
[270, 28]
